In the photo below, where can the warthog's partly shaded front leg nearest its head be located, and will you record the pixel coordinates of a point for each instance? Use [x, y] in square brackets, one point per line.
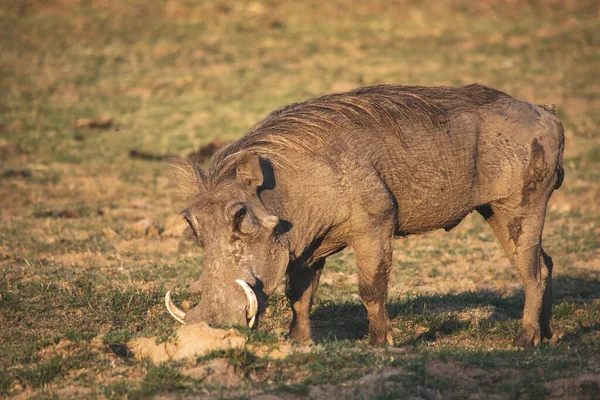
[302, 285]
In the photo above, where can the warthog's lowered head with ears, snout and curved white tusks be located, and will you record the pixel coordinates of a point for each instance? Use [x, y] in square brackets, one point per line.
[243, 255]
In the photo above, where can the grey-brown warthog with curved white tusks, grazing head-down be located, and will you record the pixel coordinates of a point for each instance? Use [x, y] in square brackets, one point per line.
[358, 169]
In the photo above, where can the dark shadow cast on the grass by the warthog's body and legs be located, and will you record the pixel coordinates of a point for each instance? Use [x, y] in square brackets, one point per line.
[333, 321]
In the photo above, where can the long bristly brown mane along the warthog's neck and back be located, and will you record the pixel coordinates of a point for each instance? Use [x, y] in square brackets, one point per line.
[302, 127]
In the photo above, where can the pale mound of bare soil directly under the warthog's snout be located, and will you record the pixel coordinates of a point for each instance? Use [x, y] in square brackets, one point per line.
[192, 340]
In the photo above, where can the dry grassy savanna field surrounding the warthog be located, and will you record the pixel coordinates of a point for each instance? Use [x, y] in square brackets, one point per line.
[93, 93]
